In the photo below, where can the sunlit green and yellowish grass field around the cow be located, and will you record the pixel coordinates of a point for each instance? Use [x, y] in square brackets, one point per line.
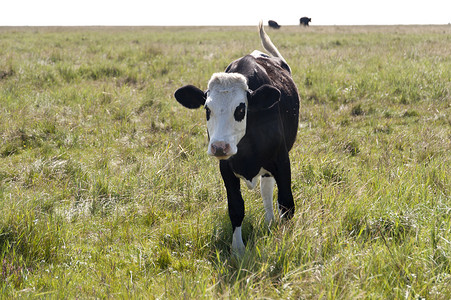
[106, 190]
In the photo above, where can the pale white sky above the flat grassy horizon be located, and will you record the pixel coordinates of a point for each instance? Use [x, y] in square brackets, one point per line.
[228, 12]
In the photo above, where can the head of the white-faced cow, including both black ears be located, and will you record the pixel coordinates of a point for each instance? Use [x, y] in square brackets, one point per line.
[227, 102]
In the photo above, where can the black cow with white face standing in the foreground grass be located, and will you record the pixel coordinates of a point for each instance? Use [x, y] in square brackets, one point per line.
[252, 112]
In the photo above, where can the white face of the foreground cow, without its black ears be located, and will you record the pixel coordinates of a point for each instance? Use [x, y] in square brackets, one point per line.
[226, 110]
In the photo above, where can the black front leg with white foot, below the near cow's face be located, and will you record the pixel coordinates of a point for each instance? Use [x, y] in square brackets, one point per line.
[235, 204]
